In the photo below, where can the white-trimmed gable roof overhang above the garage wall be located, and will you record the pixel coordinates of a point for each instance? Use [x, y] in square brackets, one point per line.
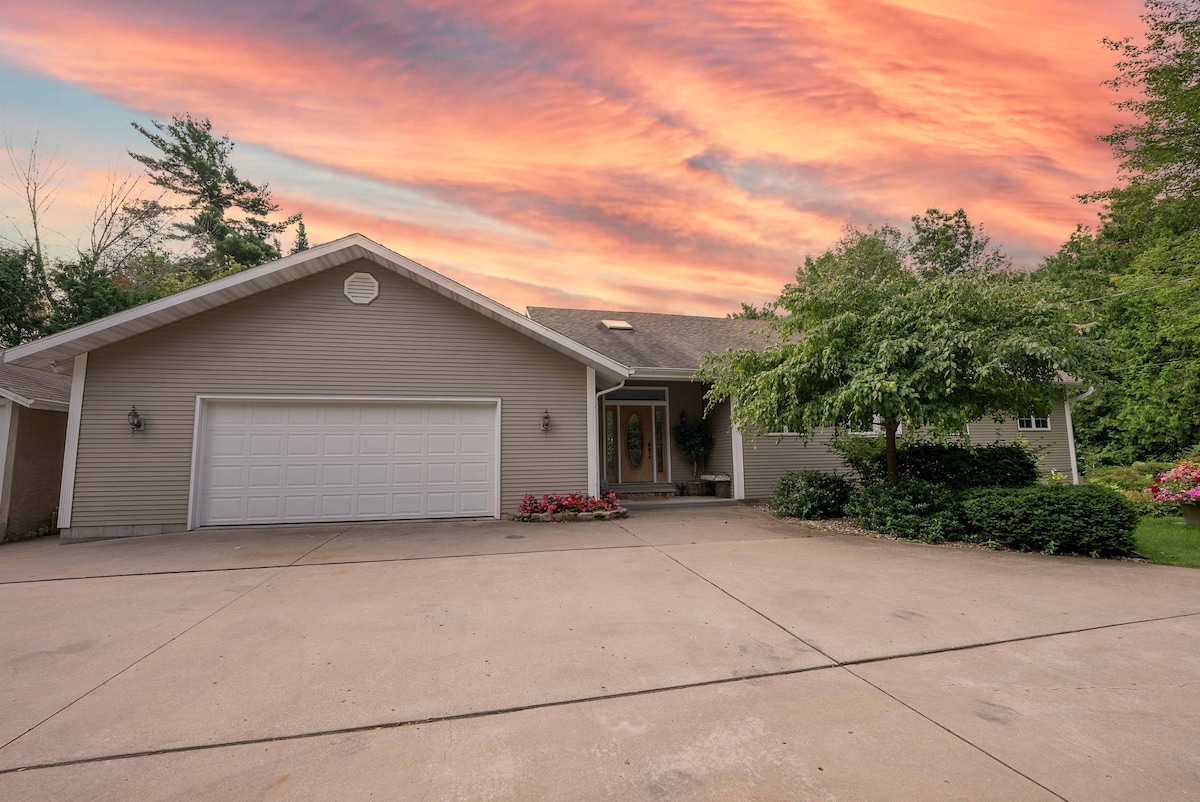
[67, 345]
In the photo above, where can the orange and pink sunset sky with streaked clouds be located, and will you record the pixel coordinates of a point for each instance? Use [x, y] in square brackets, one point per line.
[661, 157]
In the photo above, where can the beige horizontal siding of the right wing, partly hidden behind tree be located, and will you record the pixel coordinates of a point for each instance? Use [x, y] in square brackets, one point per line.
[766, 459]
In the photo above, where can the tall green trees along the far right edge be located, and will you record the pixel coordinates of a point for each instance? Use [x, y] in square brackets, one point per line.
[1137, 277]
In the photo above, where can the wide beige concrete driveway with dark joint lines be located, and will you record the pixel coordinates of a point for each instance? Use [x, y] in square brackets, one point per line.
[687, 654]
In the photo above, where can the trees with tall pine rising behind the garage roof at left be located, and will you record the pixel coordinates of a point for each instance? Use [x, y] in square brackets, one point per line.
[221, 223]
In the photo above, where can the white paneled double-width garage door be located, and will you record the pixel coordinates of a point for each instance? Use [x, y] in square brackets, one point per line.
[292, 463]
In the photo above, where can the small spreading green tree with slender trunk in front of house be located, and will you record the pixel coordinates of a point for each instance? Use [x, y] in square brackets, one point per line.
[871, 333]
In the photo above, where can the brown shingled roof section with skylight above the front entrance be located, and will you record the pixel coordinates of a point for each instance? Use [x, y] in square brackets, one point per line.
[664, 346]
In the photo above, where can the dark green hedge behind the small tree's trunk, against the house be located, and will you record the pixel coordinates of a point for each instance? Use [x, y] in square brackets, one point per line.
[953, 465]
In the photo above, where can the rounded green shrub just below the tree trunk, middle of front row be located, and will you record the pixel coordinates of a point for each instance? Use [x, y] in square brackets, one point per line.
[909, 508]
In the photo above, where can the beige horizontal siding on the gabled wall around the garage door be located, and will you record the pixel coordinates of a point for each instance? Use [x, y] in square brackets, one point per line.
[308, 339]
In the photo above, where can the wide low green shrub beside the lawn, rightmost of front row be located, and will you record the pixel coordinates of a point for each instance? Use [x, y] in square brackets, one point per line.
[1070, 519]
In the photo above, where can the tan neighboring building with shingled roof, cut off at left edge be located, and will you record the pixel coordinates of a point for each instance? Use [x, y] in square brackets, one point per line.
[33, 432]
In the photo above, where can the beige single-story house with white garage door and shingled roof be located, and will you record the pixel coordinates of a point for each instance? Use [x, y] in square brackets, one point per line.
[350, 384]
